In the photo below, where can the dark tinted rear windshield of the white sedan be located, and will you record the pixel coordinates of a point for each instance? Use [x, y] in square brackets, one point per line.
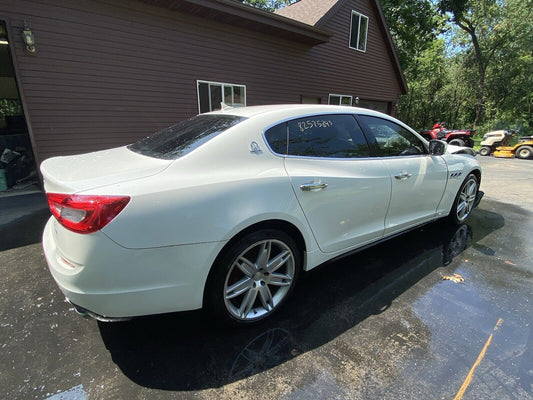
[182, 138]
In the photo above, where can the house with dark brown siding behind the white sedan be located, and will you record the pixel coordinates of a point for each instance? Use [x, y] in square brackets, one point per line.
[93, 74]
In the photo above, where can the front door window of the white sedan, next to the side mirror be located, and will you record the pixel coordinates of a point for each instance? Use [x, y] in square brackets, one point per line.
[391, 139]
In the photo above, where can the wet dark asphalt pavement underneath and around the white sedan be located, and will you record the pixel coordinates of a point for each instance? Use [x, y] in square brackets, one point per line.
[381, 324]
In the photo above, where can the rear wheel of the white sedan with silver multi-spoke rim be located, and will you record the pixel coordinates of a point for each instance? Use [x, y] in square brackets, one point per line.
[258, 291]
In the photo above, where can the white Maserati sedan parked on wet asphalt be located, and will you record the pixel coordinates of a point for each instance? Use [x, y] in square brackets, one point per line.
[224, 210]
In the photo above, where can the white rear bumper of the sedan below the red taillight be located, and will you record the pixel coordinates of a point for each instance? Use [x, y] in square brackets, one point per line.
[115, 282]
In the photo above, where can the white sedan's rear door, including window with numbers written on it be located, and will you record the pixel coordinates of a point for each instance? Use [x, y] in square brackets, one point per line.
[343, 192]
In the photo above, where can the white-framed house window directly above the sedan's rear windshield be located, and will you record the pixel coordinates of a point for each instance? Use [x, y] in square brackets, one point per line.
[212, 94]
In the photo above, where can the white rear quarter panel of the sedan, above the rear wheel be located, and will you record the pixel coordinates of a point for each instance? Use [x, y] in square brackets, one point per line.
[208, 195]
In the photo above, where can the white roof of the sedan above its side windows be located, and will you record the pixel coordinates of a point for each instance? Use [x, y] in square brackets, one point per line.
[297, 109]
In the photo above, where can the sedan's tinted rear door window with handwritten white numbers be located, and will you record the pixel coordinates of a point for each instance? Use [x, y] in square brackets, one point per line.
[330, 136]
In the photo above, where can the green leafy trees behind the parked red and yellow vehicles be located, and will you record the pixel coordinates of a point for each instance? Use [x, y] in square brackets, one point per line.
[482, 78]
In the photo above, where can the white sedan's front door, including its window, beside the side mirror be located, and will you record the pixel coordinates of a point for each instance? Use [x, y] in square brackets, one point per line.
[418, 179]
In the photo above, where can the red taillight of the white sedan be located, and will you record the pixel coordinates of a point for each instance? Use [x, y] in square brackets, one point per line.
[85, 213]
